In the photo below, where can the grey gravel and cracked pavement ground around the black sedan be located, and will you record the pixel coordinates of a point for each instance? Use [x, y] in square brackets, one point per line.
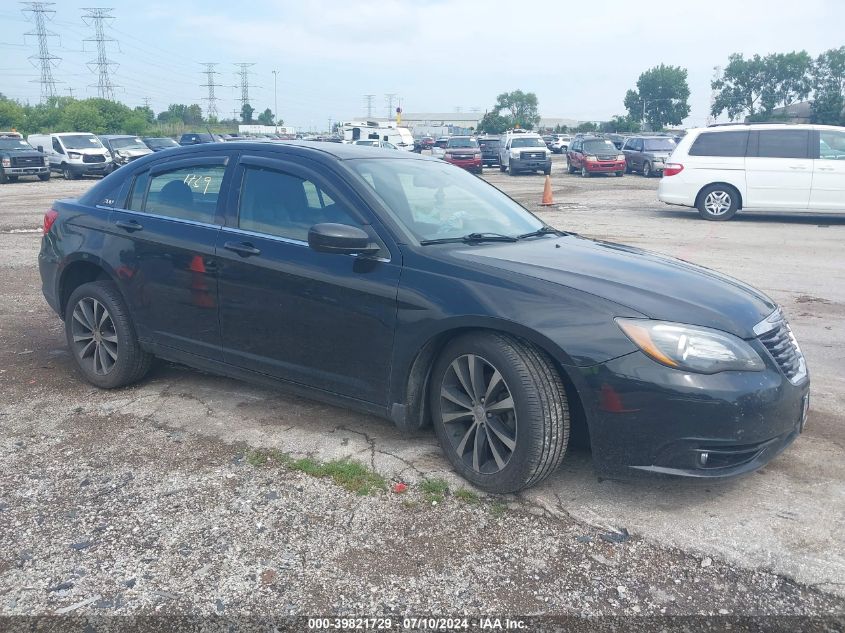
[161, 498]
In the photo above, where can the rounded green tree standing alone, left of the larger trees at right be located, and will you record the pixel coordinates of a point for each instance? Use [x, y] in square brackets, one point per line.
[661, 97]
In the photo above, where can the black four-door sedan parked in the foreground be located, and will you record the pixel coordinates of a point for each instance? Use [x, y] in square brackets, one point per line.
[400, 286]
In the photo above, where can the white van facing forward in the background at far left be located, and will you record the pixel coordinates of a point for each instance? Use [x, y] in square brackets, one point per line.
[74, 154]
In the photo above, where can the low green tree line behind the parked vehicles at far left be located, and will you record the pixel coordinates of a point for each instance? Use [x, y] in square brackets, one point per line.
[103, 116]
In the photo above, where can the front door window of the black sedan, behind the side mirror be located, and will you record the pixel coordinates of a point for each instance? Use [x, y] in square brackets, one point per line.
[284, 205]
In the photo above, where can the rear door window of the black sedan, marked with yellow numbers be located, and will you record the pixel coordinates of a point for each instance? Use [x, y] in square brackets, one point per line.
[189, 193]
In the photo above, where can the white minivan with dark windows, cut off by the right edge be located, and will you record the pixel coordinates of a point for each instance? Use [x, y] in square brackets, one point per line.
[767, 167]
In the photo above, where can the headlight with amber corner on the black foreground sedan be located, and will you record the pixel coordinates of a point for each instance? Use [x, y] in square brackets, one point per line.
[690, 347]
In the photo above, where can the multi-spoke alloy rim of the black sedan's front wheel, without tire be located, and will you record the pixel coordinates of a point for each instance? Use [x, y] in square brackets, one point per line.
[478, 414]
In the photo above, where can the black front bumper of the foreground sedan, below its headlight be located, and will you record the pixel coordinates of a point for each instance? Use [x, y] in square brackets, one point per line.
[648, 417]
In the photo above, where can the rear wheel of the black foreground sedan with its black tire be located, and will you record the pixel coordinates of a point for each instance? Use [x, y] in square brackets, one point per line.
[131, 363]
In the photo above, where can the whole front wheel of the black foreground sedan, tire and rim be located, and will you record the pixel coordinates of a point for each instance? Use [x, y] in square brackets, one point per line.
[500, 411]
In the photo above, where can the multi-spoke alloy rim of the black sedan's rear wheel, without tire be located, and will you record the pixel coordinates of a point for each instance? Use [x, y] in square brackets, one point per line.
[94, 336]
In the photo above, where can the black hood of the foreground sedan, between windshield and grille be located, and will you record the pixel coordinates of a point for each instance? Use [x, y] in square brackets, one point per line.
[654, 285]
